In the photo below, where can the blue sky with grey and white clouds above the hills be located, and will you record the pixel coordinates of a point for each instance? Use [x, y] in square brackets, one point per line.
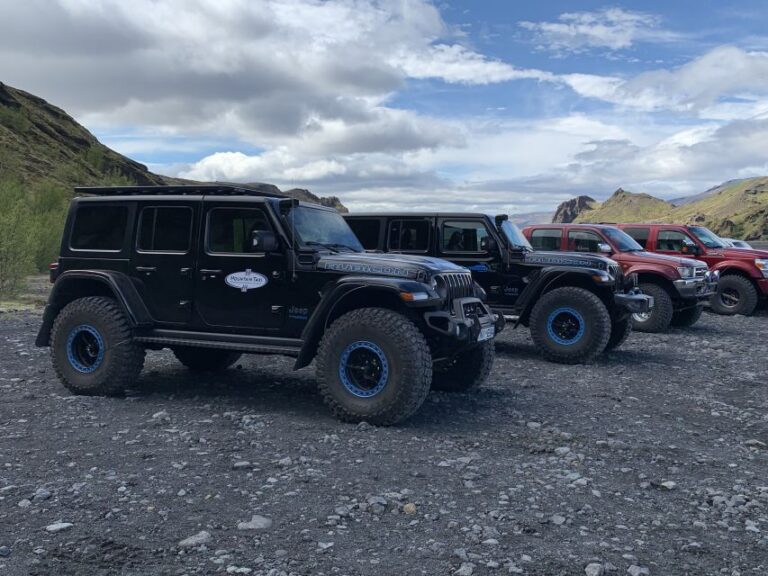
[411, 104]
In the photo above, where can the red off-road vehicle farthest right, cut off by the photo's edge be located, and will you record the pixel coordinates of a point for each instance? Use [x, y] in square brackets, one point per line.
[743, 273]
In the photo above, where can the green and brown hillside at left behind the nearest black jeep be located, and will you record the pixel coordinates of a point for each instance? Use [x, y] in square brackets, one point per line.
[44, 154]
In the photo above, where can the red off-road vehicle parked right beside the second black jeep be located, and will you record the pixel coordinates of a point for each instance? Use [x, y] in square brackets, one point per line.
[680, 286]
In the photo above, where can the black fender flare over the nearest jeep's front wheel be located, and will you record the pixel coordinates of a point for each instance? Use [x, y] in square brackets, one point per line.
[333, 295]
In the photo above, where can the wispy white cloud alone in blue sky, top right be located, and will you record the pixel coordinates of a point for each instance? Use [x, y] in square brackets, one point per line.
[610, 28]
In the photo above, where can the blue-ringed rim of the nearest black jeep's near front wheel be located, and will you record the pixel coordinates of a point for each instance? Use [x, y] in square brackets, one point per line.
[363, 369]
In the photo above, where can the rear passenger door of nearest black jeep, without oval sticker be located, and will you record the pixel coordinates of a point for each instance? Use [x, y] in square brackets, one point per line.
[163, 262]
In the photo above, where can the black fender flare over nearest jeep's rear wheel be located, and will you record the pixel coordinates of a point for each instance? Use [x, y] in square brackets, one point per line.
[66, 289]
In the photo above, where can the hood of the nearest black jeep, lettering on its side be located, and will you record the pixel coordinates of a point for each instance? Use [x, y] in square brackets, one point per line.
[395, 265]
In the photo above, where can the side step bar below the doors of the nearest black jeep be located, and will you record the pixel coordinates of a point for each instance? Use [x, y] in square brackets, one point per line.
[238, 343]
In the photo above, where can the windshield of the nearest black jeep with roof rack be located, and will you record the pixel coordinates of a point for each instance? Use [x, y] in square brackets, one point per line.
[322, 228]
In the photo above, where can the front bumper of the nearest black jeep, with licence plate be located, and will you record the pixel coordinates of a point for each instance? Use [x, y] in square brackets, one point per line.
[466, 320]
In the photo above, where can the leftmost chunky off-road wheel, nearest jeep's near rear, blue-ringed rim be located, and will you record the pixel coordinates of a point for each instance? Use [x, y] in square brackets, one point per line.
[92, 348]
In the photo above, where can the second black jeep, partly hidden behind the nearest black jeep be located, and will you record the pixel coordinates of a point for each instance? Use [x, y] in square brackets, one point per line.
[576, 305]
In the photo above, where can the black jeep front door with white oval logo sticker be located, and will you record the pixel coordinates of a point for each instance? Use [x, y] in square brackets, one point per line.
[237, 287]
